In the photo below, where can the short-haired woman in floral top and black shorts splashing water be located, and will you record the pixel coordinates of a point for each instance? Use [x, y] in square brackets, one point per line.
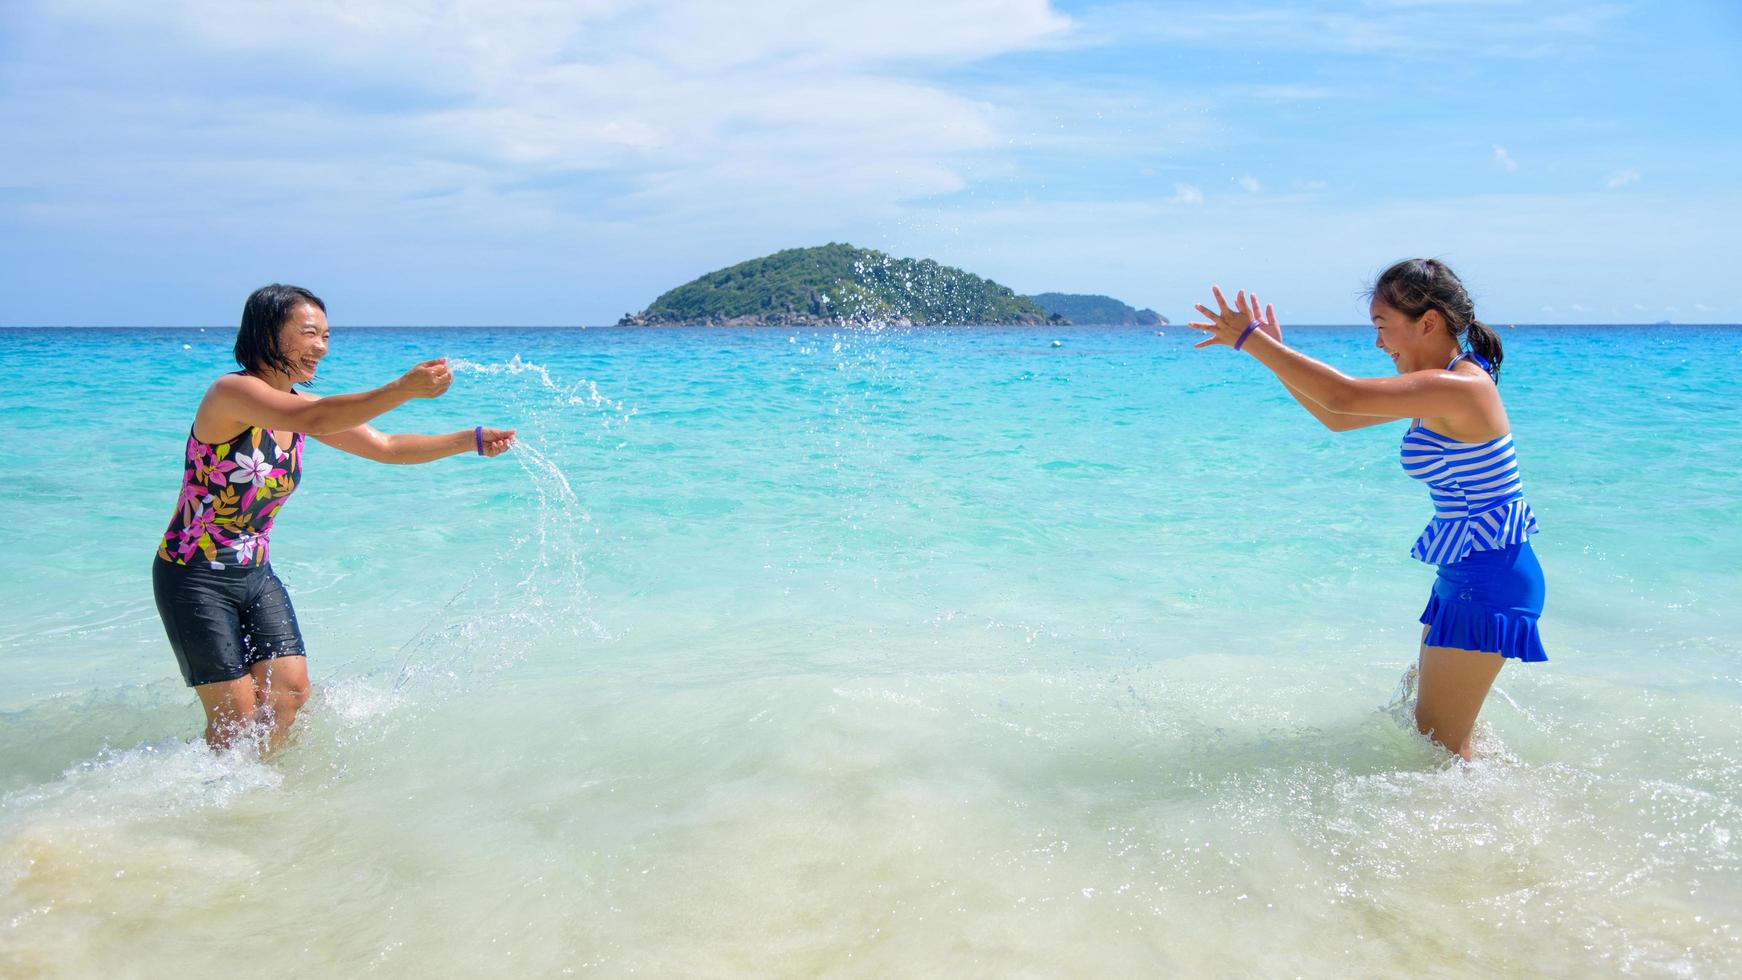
[227, 615]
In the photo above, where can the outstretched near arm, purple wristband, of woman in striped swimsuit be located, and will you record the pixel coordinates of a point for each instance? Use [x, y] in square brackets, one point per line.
[1405, 396]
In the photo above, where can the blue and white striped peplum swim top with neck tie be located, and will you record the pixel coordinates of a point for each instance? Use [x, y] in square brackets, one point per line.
[1476, 488]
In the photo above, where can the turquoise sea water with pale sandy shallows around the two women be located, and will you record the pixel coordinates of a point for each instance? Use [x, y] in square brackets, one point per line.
[877, 654]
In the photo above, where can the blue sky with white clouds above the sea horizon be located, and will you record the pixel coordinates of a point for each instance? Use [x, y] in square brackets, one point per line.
[565, 161]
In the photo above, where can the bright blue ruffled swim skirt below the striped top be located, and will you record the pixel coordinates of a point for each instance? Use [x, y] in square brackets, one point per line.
[1489, 603]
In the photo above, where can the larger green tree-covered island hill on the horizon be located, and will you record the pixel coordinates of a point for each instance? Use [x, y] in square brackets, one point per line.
[837, 283]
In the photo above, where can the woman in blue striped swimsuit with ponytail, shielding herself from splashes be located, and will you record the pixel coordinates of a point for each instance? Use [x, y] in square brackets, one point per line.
[1490, 591]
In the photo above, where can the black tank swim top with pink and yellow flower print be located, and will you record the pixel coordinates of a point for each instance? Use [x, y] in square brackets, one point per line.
[231, 492]
